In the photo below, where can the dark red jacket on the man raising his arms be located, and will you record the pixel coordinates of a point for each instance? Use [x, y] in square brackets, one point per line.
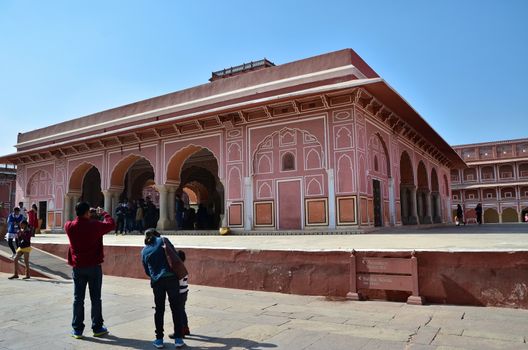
[86, 240]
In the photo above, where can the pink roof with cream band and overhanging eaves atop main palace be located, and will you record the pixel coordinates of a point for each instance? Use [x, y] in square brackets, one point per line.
[323, 73]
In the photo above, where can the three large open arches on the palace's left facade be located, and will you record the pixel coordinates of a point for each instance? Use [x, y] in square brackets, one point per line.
[190, 177]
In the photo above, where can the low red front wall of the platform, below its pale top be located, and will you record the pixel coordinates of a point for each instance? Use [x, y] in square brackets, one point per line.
[462, 278]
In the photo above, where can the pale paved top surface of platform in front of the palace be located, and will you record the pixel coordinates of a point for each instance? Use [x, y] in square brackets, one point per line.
[447, 238]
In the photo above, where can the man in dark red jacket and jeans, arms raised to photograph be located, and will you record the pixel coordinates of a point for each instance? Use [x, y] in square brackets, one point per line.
[85, 256]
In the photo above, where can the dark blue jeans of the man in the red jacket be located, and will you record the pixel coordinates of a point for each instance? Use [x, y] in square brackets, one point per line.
[93, 276]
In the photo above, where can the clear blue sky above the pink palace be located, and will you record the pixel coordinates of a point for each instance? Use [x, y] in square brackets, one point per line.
[463, 65]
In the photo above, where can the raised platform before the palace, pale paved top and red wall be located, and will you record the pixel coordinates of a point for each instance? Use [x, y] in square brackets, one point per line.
[471, 268]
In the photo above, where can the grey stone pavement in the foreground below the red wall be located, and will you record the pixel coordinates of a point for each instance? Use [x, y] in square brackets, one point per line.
[37, 314]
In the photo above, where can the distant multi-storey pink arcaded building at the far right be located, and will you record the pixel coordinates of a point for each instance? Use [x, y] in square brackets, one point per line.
[497, 177]
